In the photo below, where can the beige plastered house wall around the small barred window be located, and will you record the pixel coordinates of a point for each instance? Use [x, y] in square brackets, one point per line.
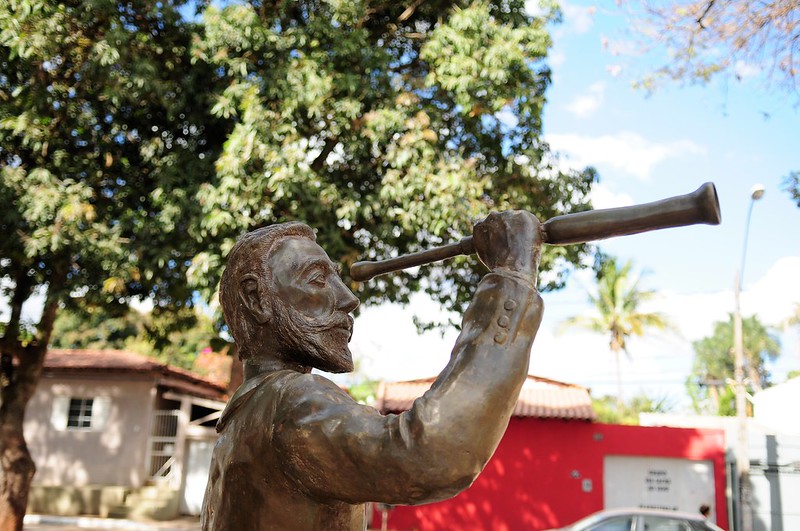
[112, 455]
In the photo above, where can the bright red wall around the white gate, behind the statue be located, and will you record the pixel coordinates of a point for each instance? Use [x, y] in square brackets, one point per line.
[534, 480]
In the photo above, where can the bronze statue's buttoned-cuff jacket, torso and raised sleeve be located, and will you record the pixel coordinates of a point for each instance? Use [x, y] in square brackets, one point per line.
[296, 452]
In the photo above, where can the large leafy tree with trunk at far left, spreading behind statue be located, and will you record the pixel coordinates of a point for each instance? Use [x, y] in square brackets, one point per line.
[388, 127]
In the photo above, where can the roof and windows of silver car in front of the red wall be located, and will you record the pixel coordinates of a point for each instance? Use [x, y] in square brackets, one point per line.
[642, 520]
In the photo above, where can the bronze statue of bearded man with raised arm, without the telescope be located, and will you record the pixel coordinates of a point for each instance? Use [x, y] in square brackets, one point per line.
[295, 451]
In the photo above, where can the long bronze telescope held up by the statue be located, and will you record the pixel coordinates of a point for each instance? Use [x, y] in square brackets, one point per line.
[698, 207]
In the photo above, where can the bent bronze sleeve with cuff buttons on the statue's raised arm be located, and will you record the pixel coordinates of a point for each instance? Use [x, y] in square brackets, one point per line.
[336, 449]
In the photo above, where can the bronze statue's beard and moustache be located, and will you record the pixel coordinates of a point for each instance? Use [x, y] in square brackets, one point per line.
[321, 344]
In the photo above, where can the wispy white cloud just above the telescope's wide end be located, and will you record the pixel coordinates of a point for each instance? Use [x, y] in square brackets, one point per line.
[624, 151]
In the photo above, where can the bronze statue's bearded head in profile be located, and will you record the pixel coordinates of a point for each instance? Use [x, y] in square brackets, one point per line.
[282, 297]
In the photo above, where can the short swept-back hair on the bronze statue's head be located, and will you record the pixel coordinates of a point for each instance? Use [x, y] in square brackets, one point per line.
[250, 254]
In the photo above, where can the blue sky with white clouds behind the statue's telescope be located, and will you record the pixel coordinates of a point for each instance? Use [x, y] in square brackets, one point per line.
[646, 148]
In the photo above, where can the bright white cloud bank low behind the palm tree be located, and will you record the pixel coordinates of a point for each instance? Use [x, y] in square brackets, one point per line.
[660, 362]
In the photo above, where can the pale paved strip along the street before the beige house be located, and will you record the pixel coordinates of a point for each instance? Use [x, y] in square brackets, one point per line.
[36, 522]
